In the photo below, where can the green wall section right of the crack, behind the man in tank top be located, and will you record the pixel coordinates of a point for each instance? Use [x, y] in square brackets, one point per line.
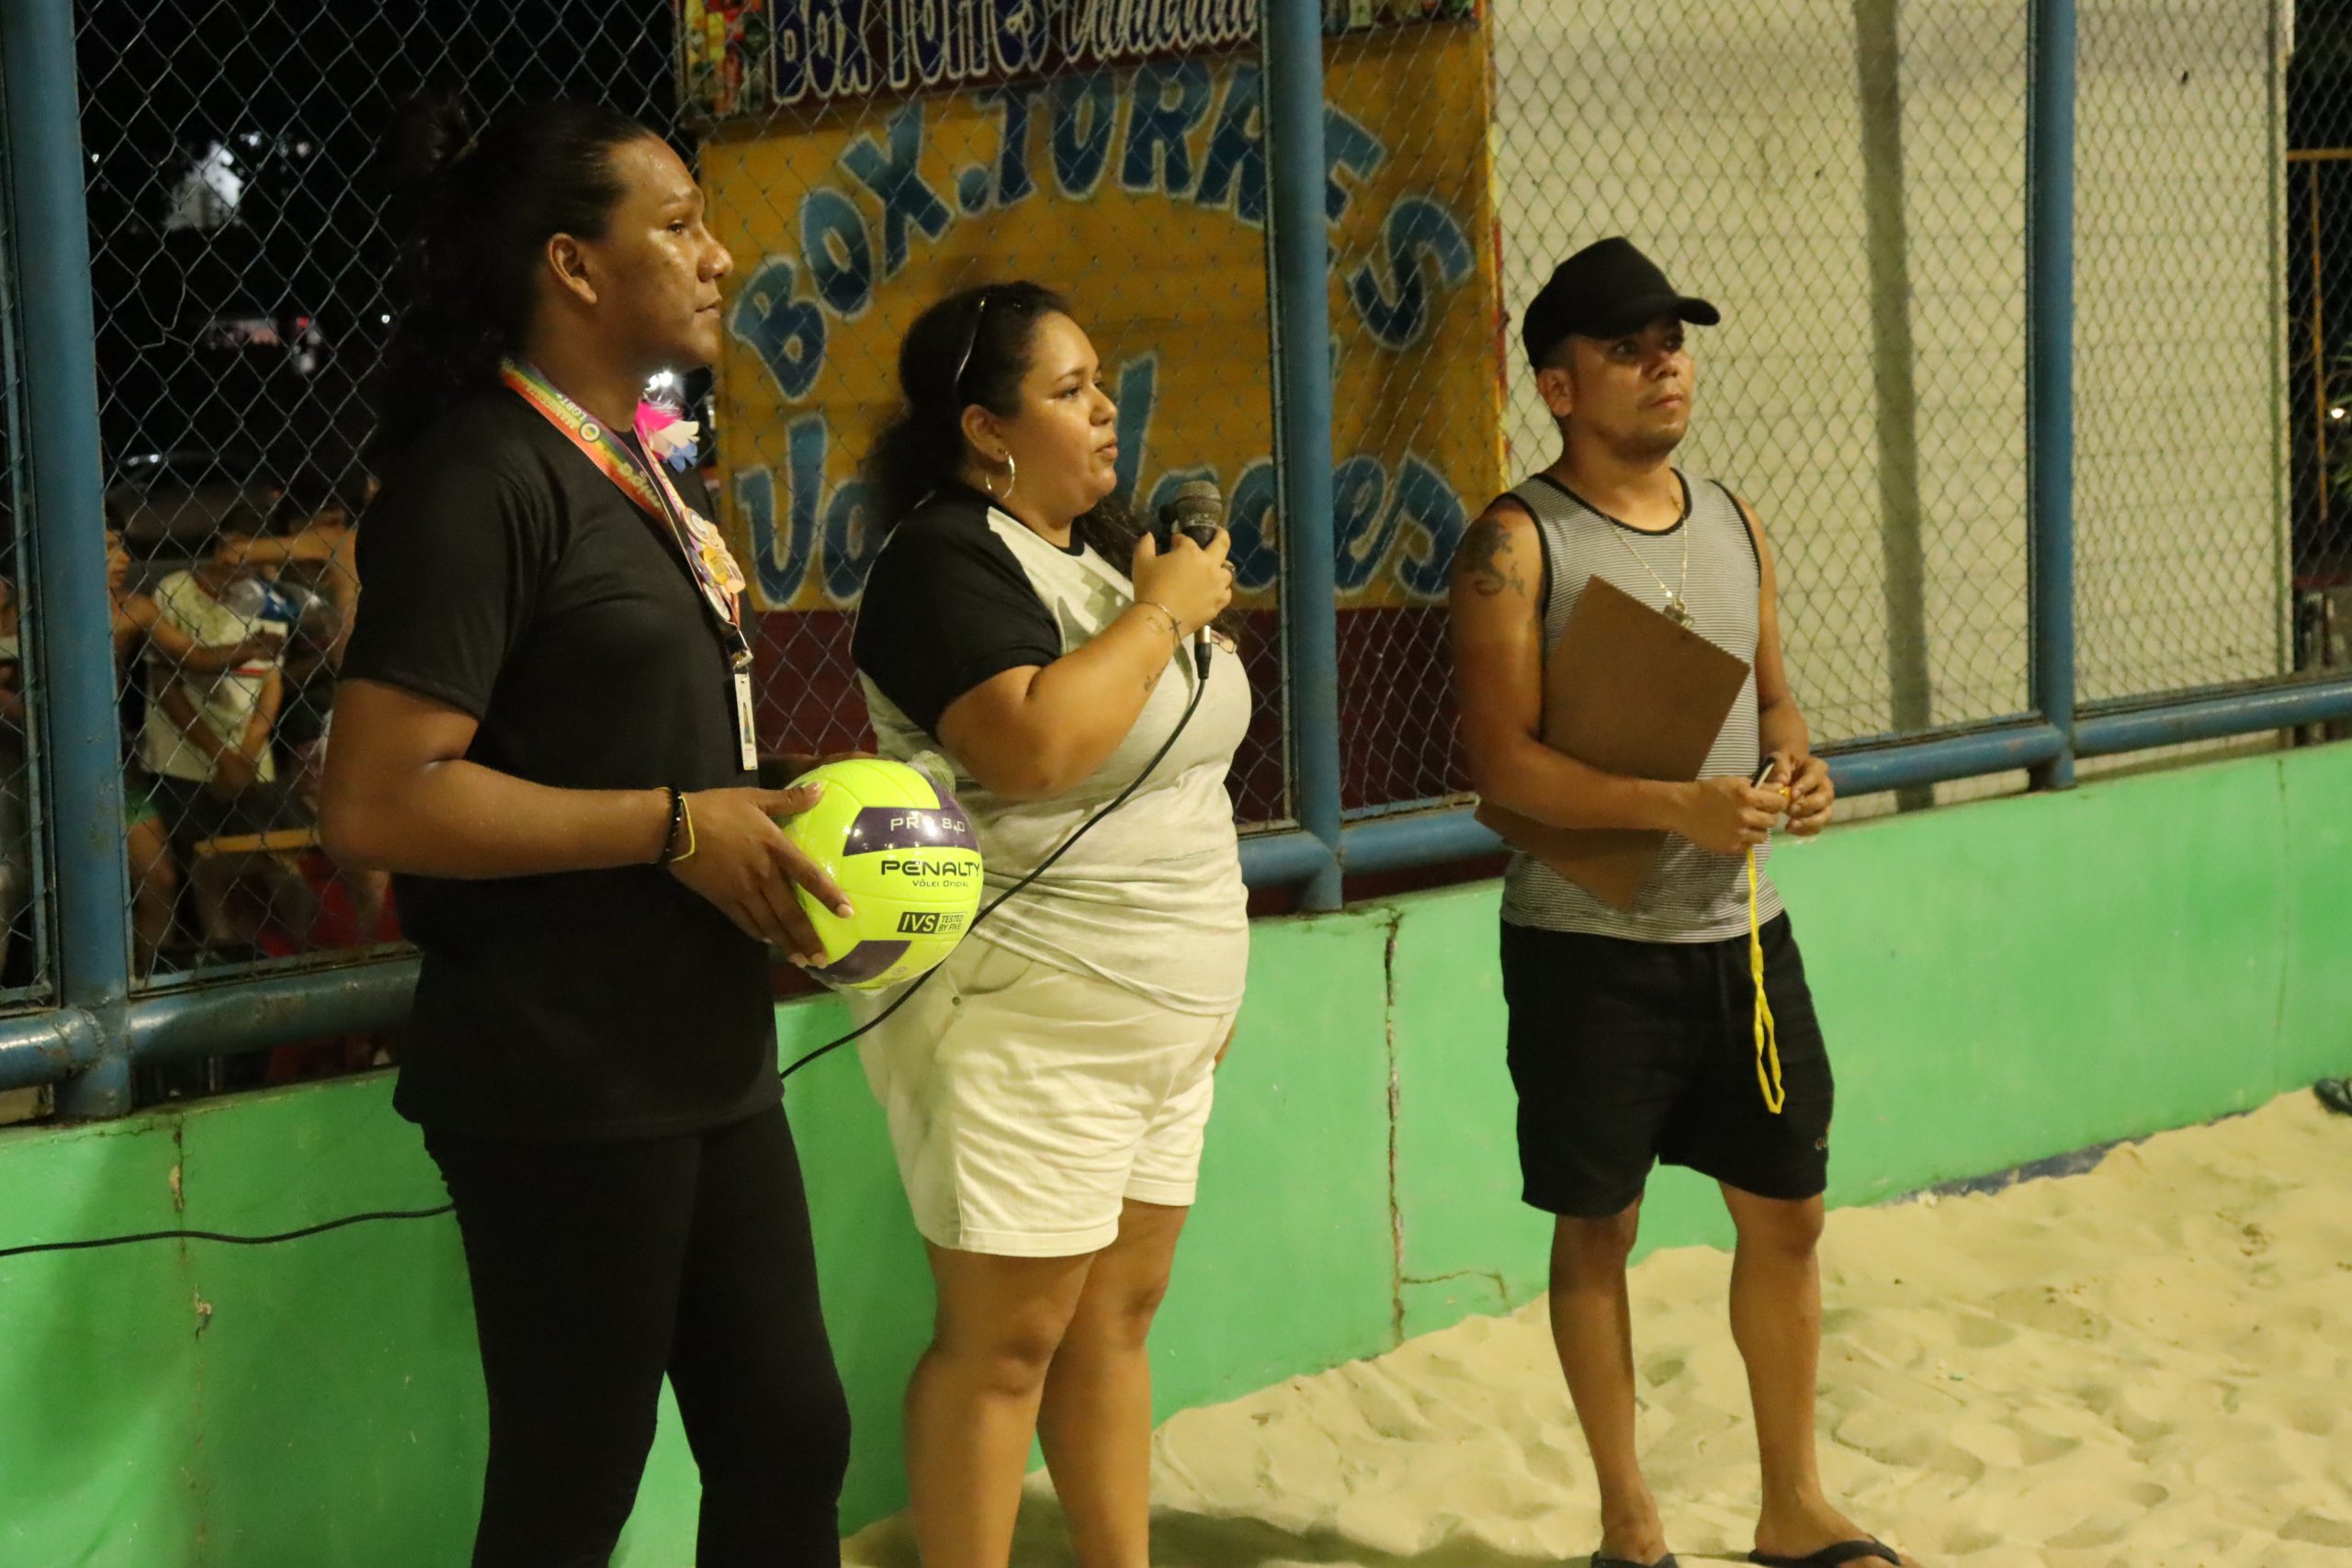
[1998, 981]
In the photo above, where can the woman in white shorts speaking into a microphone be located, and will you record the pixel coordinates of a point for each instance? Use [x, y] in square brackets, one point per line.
[1050, 1087]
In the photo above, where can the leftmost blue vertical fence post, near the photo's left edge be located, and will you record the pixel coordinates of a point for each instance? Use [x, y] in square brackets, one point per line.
[67, 619]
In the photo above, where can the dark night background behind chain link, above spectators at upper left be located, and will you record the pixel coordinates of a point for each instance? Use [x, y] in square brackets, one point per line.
[300, 98]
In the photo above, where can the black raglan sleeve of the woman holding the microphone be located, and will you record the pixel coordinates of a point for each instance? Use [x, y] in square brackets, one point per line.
[947, 608]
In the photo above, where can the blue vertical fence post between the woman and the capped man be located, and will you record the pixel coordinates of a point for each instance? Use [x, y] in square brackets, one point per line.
[1299, 267]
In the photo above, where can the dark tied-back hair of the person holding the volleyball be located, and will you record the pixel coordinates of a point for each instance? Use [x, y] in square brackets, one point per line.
[479, 210]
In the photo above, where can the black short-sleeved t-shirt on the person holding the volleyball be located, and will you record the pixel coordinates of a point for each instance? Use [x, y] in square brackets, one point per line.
[512, 579]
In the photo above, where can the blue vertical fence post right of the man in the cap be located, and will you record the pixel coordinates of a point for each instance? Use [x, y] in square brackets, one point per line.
[2050, 373]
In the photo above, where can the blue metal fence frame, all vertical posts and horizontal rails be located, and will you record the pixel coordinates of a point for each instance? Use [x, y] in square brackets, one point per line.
[98, 1031]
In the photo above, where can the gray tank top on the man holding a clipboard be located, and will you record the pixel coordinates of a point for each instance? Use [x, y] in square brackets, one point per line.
[1692, 897]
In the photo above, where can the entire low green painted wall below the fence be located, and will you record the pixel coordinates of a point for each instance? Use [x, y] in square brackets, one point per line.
[2000, 981]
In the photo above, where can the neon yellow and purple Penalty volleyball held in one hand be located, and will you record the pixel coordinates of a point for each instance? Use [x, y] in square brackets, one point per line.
[904, 852]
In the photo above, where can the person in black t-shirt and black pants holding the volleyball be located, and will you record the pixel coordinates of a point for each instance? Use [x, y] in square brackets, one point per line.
[537, 737]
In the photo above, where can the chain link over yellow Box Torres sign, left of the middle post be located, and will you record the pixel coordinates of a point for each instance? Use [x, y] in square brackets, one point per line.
[867, 175]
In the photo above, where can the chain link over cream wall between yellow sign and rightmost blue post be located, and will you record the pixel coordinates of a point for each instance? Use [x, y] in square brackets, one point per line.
[1845, 182]
